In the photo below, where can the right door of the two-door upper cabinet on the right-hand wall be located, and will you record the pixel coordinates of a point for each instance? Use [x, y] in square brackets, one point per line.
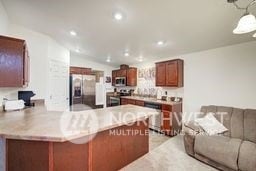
[172, 73]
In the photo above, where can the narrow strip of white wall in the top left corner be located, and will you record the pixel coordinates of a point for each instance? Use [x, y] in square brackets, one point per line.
[4, 21]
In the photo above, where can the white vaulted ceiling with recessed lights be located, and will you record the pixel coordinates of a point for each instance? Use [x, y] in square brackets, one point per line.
[185, 26]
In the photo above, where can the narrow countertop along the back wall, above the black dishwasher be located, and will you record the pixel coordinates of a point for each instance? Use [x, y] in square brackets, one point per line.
[153, 100]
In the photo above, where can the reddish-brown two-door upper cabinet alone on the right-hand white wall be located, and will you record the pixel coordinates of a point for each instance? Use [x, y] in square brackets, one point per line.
[170, 73]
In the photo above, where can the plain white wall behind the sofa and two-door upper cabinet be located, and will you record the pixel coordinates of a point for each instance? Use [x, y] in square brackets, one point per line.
[223, 76]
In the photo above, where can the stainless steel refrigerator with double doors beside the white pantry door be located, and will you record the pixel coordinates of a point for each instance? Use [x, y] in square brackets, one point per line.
[82, 92]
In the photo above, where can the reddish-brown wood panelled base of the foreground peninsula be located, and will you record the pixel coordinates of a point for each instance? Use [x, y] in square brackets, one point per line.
[109, 150]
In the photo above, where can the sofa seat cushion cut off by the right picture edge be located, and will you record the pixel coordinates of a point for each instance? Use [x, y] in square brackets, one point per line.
[247, 156]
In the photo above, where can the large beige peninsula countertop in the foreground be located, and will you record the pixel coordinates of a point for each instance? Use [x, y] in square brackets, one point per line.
[38, 124]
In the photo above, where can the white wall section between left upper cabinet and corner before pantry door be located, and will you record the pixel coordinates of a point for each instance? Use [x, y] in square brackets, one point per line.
[38, 52]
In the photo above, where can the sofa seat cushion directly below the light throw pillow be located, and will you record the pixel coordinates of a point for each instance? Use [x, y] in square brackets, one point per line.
[222, 149]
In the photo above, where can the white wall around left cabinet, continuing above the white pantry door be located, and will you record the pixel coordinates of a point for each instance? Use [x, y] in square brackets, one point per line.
[41, 49]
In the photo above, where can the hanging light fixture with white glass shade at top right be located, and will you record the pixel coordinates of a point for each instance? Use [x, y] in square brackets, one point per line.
[247, 22]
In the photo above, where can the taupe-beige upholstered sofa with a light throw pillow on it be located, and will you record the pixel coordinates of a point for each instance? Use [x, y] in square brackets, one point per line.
[233, 150]
